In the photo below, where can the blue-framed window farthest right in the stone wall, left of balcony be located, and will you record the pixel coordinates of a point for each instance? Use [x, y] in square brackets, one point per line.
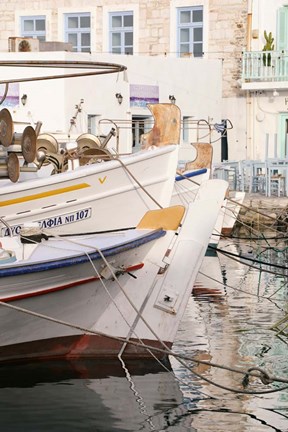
[190, 31]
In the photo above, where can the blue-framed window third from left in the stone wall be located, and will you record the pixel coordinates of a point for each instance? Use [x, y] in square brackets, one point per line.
[121, 32]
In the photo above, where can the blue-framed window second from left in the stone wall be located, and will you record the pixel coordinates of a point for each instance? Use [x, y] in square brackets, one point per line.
[78, 31]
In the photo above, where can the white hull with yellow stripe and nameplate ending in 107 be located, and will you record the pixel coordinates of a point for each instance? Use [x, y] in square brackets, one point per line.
[84, 200]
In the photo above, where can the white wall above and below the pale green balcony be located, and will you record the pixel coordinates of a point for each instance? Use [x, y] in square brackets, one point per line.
[263, 108]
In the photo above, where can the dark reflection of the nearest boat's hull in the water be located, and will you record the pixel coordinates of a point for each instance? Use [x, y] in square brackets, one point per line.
[90, 395]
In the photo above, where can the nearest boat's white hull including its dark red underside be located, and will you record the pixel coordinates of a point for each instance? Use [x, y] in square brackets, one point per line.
[69, 312]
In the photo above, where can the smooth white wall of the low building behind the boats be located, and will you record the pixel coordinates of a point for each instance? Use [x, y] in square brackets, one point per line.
[53, 102]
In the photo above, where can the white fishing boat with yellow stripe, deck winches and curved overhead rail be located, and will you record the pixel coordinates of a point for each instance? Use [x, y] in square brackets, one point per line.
[91, 189]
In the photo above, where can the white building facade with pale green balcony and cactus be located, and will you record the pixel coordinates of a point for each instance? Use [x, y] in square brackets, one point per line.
[264, 79]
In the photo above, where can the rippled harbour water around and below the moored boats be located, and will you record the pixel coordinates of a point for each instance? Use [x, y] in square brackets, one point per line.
[227, 323]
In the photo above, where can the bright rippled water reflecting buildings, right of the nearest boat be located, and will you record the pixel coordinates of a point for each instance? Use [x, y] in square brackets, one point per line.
[232, 328]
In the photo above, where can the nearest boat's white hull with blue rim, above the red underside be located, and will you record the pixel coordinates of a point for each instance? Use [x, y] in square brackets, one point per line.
[68, 297]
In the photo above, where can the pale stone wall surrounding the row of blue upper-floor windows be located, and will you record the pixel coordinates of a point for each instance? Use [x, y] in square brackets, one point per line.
[226, 28]
